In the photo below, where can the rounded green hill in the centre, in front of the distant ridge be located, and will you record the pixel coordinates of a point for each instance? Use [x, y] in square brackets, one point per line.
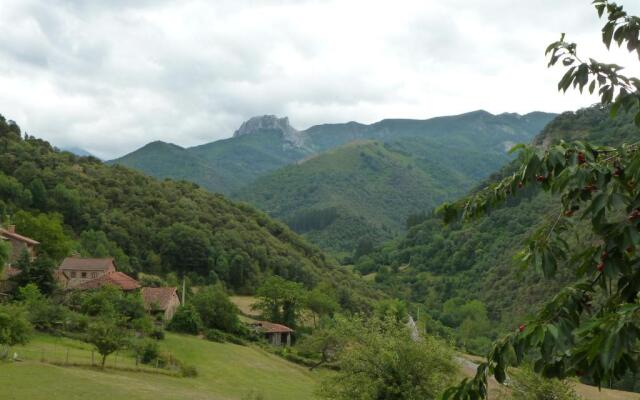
[353, 196]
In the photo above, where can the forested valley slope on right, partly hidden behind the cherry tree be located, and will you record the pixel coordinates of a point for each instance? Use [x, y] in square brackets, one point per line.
[467, 272]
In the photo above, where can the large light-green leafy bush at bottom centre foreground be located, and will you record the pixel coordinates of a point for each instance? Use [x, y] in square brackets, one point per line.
[383, 362]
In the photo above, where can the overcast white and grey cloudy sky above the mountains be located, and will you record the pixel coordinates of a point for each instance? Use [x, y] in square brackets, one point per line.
[111, 75]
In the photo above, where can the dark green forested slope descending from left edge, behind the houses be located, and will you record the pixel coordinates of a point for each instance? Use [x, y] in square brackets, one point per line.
[72, 203]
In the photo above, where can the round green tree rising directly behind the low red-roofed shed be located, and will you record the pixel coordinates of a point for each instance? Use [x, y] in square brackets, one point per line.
[280, 301]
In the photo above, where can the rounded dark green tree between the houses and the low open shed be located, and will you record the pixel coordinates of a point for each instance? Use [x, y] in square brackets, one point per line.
[216, 310]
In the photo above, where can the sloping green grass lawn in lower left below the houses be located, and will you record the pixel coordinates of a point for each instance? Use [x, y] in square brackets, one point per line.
[226, 371]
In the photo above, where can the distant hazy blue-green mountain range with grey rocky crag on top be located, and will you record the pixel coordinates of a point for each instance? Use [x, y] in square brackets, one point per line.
[266, 143]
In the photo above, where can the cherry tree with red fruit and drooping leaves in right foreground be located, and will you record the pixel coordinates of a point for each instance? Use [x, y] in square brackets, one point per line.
[573, 335]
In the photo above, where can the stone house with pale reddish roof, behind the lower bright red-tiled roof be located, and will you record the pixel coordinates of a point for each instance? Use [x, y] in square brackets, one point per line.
[78, 270]
